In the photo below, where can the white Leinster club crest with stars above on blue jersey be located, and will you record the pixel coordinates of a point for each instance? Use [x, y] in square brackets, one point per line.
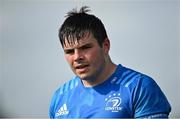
[113, 102]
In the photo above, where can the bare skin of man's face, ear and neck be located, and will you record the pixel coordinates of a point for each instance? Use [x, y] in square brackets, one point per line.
[88, 60]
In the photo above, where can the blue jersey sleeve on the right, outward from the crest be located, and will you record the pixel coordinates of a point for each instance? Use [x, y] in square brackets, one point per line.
[149, 100]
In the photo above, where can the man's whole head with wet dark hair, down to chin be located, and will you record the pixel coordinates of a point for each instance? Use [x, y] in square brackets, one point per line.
[85, 43]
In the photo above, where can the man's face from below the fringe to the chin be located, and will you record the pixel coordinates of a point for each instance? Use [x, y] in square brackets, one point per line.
[86, 58]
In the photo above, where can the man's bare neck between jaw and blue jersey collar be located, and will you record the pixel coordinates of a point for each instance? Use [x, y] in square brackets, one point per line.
[108, 70]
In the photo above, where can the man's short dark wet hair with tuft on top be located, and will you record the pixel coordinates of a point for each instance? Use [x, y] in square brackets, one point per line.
[78, 23]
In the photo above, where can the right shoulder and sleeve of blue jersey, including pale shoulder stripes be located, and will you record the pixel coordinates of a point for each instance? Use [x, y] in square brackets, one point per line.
[147, 96]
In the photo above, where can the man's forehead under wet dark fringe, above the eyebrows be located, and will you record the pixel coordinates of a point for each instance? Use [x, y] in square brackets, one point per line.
[87, 38]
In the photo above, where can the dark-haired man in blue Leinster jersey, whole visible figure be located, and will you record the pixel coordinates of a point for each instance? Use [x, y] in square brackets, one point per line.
[101, 89]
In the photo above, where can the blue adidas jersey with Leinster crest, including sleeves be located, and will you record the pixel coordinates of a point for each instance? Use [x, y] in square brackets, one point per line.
[125, 94]
